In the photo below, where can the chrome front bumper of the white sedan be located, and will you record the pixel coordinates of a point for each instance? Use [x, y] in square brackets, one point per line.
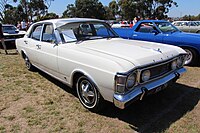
[123, 100]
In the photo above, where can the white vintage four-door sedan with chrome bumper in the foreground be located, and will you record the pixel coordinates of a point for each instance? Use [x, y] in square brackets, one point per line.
[88, 55]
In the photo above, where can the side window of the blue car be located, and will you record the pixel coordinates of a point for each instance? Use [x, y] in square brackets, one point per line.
[145, 28]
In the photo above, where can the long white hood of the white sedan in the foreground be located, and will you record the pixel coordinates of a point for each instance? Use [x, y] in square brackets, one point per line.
[137, 52]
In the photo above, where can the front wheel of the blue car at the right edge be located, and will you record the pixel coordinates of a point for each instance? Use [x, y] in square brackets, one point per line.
[191, 57]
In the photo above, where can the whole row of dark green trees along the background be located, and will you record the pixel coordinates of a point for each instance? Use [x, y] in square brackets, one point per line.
[117, 9]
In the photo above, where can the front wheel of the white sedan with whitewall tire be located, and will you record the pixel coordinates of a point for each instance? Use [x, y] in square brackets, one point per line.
[88, 94]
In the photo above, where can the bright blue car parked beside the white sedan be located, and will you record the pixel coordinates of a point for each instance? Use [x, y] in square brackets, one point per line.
[164, 32]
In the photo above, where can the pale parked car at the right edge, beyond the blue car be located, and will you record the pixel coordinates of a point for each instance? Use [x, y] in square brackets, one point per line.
[187, 26]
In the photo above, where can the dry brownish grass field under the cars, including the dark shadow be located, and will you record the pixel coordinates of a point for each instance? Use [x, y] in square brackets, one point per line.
[35, 102]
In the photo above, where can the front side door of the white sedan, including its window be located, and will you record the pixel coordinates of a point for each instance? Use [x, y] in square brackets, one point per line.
[47, 50]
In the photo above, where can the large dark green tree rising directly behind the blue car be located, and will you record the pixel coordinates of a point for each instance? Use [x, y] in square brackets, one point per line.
[146, 8]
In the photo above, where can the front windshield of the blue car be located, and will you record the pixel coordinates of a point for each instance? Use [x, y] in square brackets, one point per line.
[166, 27]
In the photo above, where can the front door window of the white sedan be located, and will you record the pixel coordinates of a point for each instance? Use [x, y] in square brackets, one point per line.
[48, 33]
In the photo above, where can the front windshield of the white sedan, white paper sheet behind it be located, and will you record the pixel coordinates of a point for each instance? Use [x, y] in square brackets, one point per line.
[78, 31]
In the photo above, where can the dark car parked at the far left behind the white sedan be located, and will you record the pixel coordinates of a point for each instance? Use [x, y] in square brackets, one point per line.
[10, 34]
